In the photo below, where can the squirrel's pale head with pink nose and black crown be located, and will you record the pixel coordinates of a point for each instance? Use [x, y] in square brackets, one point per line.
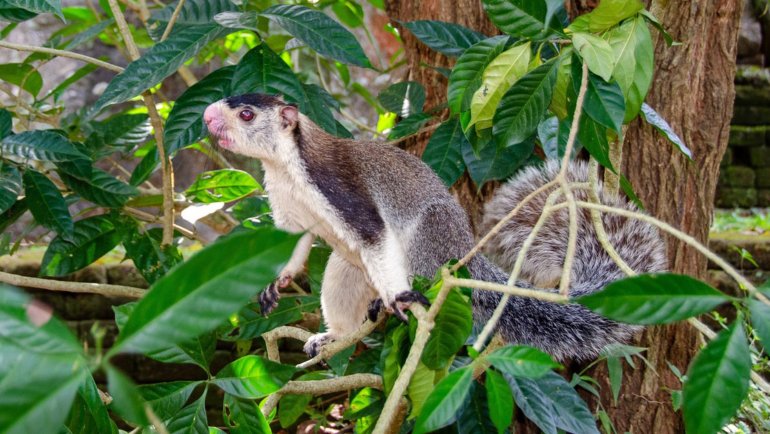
[254, 125]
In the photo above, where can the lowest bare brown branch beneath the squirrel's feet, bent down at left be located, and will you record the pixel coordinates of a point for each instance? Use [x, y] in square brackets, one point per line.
[322, 387]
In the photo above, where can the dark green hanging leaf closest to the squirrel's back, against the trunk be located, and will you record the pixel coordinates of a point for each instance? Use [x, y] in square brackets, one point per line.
[443, 153]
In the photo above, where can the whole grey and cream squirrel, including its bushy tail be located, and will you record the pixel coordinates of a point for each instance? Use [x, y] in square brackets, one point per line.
[388, 217]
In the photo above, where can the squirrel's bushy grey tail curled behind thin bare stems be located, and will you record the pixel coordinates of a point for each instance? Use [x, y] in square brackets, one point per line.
[565, 331]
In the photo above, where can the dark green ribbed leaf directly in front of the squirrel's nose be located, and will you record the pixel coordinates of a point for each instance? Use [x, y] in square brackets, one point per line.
[184, 125]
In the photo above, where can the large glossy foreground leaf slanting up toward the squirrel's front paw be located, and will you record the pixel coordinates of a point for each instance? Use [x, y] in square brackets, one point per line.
[199, 294]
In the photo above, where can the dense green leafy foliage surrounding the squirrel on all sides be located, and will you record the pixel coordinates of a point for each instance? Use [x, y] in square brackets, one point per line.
[510, 98]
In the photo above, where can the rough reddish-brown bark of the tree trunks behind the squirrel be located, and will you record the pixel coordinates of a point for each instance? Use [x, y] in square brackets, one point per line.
[693, 90]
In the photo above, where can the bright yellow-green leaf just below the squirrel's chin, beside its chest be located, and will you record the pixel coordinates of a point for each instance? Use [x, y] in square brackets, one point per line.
[222, 185]
